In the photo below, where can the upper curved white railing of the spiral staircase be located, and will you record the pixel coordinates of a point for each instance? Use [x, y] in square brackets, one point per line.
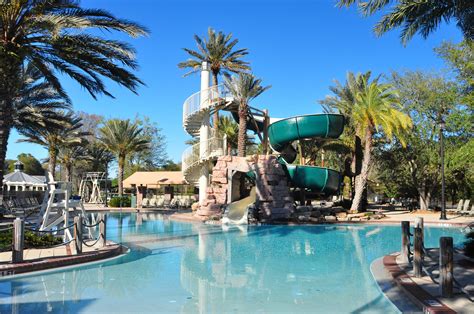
[213, 95]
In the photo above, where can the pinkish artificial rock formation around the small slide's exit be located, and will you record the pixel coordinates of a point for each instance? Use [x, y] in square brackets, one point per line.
[273, 194]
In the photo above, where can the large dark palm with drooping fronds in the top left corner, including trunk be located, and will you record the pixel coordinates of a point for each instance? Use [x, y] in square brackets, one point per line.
[52, 36]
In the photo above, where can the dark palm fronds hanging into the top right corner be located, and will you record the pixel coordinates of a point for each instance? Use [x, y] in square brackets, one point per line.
[418, 16]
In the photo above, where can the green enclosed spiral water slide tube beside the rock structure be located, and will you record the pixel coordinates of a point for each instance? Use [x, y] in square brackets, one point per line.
[283, 132]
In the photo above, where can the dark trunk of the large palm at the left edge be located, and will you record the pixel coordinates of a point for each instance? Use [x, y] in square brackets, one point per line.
[9, 70]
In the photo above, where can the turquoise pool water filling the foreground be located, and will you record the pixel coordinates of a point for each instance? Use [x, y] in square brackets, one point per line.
[181, 267]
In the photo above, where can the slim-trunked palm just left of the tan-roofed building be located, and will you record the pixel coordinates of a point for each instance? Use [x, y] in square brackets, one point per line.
[122, 138]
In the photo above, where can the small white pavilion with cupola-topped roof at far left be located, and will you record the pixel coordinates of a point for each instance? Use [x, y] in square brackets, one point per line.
[20, 181]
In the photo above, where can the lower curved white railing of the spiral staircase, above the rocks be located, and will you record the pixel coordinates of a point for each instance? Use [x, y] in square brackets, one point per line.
[215, 146]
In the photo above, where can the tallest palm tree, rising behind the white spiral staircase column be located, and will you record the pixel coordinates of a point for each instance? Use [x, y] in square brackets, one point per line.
[217, 49]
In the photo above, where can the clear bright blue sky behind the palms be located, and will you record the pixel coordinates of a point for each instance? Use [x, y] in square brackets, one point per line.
[299, 47]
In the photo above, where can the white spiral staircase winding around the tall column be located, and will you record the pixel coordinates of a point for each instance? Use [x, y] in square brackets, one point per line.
[196, 108]
